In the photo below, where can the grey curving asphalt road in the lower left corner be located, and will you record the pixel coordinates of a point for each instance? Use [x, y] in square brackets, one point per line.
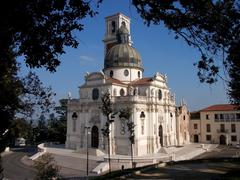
[14, 169]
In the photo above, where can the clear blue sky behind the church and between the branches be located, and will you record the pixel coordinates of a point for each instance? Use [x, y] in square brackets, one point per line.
[159, 50]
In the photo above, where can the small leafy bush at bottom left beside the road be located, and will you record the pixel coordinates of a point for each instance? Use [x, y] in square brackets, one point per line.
[46, 168]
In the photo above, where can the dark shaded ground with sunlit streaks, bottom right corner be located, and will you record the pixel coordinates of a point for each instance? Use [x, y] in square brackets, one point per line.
[191, 170]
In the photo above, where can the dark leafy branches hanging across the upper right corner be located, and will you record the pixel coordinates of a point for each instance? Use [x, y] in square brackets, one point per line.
[213, 27]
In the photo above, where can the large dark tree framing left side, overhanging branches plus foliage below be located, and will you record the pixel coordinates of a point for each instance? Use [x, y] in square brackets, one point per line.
[37, 31]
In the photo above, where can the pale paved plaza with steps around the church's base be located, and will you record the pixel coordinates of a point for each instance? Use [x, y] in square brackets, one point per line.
[73, 164]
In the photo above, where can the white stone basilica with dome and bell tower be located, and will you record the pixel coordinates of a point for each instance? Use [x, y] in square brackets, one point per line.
[155, 115]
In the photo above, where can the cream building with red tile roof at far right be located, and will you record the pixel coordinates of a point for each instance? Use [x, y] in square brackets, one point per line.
[216, 124]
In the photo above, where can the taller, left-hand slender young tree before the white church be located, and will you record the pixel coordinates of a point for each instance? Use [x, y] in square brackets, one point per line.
[107, 110]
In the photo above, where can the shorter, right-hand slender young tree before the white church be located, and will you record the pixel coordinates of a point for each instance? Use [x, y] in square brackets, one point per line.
[126, 113]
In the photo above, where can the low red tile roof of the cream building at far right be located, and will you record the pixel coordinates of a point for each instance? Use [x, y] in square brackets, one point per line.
[222, 107]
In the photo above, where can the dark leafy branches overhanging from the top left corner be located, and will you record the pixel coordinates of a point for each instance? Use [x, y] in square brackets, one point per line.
[39, 30]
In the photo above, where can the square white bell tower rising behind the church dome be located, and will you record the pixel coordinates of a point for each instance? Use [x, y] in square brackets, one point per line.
[112, 24]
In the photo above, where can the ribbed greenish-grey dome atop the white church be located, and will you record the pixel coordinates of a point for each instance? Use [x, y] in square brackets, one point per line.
[122, 55]
